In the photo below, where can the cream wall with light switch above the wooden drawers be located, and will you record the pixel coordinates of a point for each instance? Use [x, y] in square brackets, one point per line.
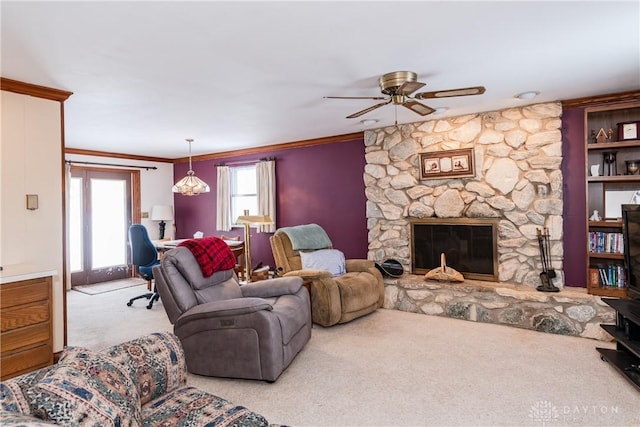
[31, 159]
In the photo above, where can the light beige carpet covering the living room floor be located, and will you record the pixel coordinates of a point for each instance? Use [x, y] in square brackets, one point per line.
[393, 368]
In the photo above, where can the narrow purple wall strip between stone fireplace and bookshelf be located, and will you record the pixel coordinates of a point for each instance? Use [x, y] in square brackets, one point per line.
[574, 197]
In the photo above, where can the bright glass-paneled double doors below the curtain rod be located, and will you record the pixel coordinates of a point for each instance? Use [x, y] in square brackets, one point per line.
[99, 218]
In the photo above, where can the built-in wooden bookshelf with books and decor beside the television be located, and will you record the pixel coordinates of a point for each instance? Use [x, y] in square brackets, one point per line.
[612, 155]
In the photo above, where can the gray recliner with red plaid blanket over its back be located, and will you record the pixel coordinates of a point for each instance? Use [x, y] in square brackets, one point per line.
[253, 331]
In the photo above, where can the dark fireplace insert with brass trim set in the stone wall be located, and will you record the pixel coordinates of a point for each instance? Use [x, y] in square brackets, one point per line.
[469, 244]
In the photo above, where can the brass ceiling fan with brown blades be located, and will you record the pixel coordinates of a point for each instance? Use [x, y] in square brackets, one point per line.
[398, 87]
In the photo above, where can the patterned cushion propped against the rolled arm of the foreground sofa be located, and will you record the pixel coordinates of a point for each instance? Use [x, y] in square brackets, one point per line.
[87, 388]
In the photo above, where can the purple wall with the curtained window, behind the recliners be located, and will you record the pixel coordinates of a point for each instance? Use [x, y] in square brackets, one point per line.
[320, 184]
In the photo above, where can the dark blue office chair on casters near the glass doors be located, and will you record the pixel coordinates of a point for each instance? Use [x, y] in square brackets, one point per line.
[144, 256]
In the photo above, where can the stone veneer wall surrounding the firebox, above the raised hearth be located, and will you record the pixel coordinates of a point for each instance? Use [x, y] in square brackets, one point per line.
[518, 179]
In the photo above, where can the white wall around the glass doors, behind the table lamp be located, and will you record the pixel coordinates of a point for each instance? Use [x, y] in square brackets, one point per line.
[155, 186]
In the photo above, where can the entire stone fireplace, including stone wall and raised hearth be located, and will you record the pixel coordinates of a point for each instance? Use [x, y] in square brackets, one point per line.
[517, 184]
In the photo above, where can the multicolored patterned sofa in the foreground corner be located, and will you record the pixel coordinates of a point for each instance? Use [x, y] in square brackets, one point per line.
[137, 383]
